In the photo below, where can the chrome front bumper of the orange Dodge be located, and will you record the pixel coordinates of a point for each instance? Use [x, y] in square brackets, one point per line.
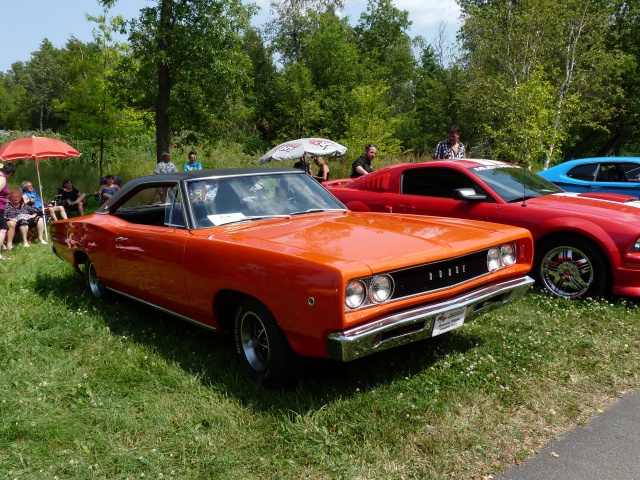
[417, 324]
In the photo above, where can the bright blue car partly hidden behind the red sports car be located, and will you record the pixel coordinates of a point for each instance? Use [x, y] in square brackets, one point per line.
[600, 174]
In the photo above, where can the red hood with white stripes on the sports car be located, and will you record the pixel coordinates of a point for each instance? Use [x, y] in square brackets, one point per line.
[592, 205]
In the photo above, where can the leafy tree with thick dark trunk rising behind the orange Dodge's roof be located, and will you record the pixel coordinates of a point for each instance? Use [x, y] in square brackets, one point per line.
[191, 51]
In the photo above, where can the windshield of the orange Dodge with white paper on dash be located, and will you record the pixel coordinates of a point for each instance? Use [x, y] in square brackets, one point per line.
[224, 200]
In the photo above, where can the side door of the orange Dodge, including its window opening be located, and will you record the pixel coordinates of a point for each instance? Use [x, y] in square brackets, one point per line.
[149, 251]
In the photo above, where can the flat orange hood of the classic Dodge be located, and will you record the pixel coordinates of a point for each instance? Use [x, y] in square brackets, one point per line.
[381, 241]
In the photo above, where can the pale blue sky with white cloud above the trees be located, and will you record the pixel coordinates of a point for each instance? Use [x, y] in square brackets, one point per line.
[26, 23]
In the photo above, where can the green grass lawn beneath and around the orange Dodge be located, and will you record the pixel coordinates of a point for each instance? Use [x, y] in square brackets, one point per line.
[117, 390]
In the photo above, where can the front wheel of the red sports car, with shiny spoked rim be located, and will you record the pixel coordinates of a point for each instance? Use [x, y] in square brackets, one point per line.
[572, 268]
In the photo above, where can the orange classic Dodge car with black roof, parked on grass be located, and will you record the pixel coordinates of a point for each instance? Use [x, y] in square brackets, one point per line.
[272, 258]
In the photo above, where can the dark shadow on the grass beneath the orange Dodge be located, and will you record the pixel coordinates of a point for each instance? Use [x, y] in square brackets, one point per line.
[212, 358]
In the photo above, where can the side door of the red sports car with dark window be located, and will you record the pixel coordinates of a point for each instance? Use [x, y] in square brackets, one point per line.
[430, 191]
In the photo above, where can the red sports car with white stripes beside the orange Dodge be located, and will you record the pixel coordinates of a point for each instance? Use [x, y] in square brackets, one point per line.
[586, 245]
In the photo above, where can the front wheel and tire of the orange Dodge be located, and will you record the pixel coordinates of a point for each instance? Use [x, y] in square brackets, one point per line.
[262, 347]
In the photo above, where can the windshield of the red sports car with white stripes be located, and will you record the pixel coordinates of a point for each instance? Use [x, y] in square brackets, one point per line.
[513, 183]
